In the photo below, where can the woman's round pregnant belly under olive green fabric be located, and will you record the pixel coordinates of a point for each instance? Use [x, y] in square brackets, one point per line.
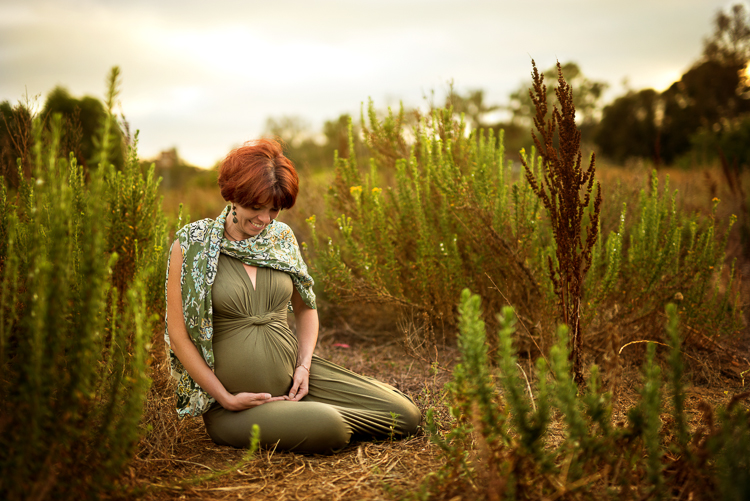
[256, 359]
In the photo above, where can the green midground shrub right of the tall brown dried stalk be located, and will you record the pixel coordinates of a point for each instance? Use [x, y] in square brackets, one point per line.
[669, 256]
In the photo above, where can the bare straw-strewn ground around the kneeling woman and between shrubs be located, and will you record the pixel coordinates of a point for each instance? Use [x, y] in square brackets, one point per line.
[177, 459]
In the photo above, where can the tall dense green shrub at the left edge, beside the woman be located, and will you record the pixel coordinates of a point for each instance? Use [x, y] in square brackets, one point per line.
[73, 336]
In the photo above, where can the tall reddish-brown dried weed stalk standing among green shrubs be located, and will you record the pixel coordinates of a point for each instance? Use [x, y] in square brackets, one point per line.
[565, 190]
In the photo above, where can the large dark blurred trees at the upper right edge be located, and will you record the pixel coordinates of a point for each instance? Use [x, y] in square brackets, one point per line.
[706, 113]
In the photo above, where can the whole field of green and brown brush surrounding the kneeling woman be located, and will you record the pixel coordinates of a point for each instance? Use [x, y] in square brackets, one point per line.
[570, 330]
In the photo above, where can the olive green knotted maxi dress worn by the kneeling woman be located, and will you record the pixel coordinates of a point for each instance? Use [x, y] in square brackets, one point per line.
[255, 351]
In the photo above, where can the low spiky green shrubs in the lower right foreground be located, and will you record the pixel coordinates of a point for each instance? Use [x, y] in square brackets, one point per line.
[499, 446]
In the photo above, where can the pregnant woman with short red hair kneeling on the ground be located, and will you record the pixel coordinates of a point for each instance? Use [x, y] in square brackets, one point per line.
[229, 284]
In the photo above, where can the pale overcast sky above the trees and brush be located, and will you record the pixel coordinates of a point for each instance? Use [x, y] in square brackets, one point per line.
[204, 76]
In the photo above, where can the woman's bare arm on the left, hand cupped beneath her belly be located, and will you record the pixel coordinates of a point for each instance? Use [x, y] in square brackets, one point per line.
[188, 354]
